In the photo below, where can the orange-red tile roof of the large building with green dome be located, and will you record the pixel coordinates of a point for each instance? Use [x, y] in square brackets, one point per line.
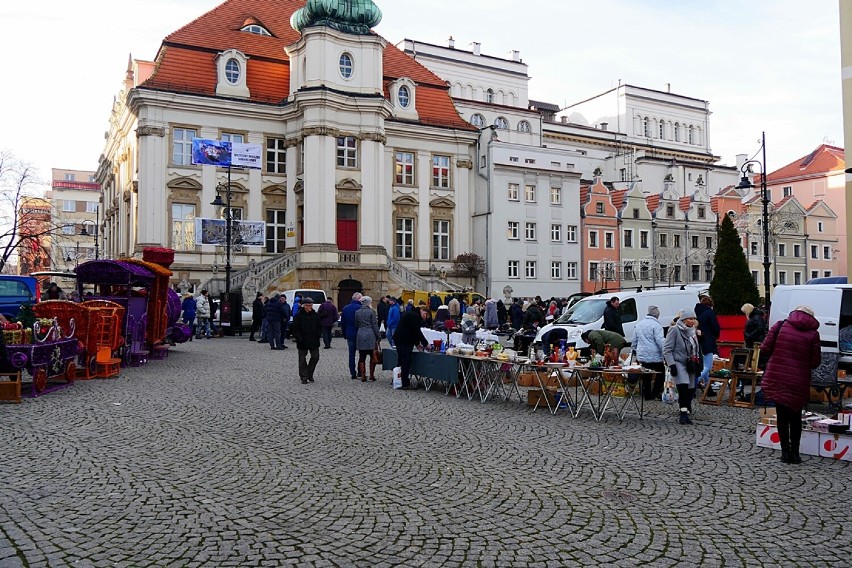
[186, 59]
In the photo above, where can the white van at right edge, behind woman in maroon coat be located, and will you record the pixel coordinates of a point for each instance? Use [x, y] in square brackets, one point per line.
[832, 305]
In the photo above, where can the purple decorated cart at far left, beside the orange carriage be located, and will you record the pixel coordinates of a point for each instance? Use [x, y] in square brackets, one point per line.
[49, 358]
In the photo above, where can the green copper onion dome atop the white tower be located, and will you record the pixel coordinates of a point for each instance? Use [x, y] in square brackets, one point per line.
[349, 16]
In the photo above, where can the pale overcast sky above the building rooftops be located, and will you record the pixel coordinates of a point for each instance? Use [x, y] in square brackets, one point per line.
[770, 65]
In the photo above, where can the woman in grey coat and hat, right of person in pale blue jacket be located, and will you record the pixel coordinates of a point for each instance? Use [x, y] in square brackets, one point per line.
[683, 357]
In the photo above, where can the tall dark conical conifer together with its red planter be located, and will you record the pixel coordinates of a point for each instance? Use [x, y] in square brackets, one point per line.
[732, 286]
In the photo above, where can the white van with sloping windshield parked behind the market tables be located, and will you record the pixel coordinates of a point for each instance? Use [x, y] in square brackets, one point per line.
[587, 314]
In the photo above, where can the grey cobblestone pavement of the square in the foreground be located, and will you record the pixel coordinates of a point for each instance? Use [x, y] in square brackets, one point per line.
[219, 456]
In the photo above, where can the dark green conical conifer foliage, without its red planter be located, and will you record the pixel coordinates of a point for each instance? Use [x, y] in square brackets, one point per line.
[732, 284]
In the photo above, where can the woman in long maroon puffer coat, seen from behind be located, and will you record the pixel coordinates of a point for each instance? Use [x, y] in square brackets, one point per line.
[793, 349]
